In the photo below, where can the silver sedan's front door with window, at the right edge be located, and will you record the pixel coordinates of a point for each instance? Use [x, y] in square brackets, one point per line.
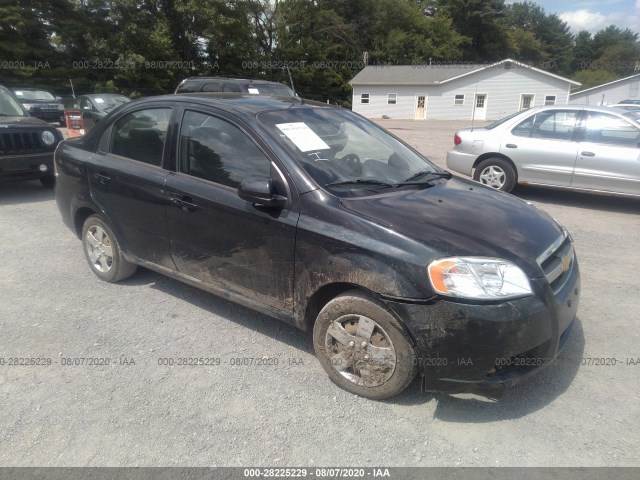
[608, 155]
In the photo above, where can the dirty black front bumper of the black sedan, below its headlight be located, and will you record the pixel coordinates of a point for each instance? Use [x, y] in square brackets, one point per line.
[484, 348]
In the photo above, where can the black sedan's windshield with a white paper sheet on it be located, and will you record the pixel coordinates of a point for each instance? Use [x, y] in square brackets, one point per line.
[346, 154]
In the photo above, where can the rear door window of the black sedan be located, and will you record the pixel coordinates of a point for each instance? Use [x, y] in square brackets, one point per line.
[141, 135]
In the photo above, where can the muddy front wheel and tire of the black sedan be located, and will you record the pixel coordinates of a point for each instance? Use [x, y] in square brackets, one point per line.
[363, 348]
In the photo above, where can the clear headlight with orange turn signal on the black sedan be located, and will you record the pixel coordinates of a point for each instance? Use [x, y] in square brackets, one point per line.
[478, 278]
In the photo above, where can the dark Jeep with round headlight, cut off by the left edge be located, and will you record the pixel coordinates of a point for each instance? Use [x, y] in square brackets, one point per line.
[26, 143]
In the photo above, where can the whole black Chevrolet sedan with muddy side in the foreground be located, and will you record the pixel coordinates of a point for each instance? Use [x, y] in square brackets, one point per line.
[316, 216]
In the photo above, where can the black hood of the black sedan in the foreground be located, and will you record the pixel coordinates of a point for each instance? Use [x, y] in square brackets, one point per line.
[458, 217]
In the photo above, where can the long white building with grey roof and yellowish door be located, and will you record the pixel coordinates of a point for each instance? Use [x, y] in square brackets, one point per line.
[456, 92]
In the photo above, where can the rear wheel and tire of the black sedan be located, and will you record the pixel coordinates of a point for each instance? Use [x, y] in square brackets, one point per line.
[98, 241]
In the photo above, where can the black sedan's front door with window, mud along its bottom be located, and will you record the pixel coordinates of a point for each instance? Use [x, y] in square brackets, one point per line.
[216, 237]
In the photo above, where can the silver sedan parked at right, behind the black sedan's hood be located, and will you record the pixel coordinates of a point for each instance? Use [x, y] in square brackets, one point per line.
[573, 147]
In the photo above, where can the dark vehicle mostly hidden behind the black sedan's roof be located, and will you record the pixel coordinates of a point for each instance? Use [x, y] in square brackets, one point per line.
[234, 85]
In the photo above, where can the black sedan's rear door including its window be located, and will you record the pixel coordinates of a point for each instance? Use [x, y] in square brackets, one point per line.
[127, 179]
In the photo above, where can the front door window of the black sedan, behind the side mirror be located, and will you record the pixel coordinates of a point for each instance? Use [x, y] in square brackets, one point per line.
[218, 151]
